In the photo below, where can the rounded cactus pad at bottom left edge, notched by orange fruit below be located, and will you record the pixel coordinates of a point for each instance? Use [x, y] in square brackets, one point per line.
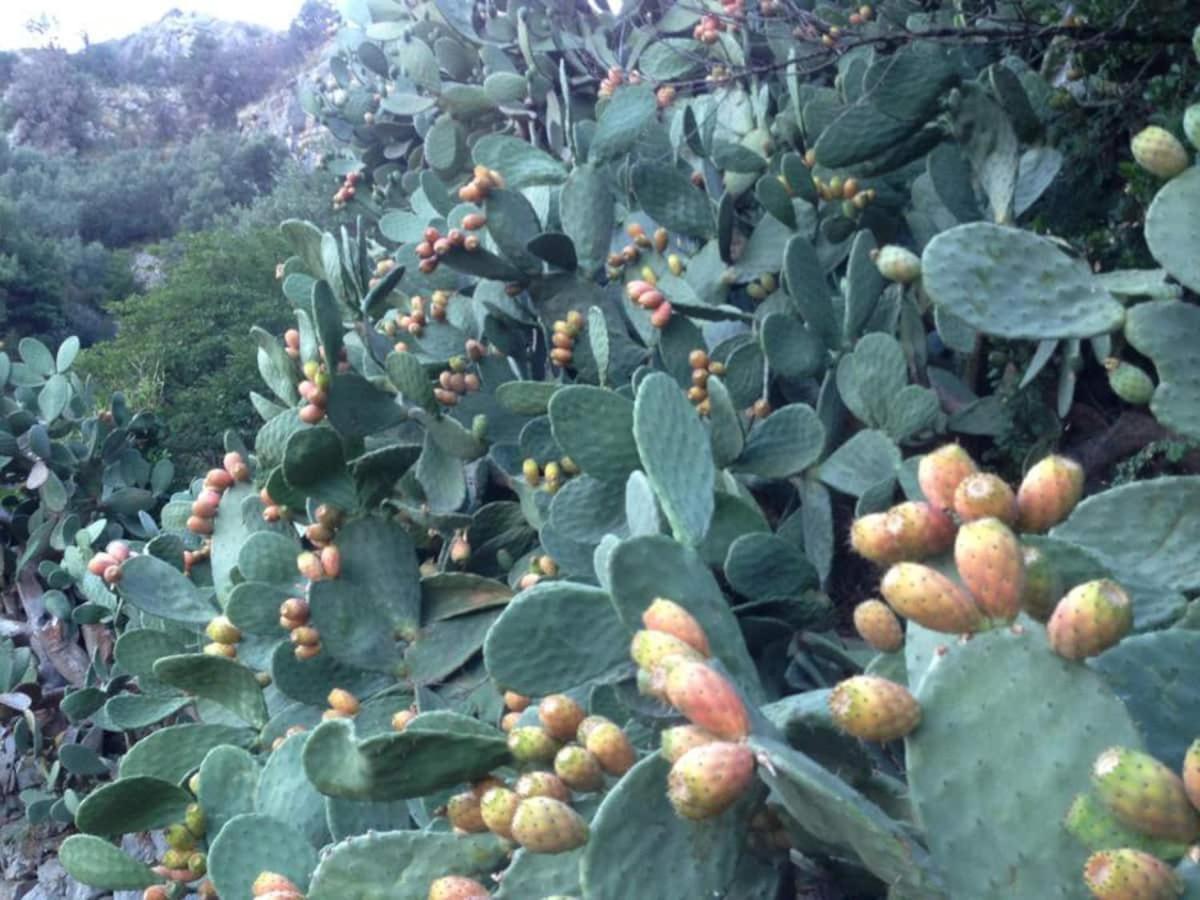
[253, 844]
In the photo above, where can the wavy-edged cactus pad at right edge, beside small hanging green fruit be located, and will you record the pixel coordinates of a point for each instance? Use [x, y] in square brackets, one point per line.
[1162, 332]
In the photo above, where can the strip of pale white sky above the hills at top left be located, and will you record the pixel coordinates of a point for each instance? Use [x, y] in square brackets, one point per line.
[116, 19]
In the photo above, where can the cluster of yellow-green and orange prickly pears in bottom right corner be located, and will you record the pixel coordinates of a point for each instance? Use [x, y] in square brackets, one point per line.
[1138, 819]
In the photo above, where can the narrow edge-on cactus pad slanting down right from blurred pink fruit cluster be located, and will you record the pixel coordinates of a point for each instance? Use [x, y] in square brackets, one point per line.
[831, 811]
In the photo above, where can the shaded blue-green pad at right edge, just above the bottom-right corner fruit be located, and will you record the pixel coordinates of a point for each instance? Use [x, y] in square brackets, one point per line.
[1156, 676]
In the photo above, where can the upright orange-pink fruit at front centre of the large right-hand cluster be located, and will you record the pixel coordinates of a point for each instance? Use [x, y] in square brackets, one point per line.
[989, 560]
